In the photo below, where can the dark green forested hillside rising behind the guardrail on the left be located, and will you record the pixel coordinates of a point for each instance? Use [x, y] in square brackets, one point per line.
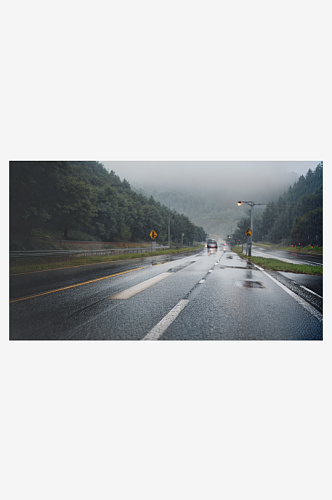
[62, 199]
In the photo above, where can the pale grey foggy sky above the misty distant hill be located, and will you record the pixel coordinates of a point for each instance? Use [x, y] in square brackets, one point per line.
[243, 177]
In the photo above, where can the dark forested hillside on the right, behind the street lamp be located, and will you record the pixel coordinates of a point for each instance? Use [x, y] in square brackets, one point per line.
[296, 218]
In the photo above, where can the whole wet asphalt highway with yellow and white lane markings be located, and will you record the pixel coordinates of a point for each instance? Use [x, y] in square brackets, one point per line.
[205, 296]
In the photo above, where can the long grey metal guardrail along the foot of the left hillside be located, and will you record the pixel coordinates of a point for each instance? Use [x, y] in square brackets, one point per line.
[80, 253]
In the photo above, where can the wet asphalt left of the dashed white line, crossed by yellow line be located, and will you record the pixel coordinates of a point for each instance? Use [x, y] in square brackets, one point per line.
[85, 311]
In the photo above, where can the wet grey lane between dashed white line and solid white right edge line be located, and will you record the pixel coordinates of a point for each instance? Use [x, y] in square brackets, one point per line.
[224, 311]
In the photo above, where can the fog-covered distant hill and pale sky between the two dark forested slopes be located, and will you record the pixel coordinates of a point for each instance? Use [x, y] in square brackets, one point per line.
[208, 191]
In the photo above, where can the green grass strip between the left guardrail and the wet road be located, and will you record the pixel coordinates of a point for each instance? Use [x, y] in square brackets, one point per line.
[82, 261]
